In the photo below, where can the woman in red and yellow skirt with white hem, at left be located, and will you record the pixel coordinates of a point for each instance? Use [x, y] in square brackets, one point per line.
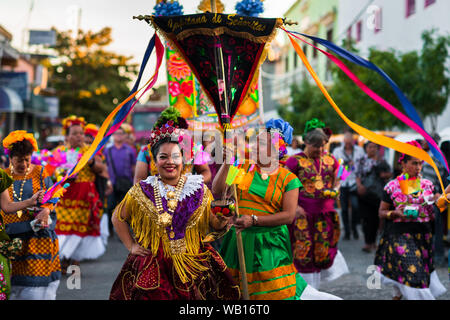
[79, 210]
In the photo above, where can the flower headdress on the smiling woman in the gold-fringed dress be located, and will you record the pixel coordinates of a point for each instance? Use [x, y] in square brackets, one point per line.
[170, 124]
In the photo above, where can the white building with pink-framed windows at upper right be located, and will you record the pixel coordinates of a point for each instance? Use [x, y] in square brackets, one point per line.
[396, 24]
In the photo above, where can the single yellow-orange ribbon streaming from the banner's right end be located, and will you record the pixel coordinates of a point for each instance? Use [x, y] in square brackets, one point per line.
[369, 135]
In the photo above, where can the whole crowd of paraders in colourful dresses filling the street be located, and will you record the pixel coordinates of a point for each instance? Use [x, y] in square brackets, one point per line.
[283, 229]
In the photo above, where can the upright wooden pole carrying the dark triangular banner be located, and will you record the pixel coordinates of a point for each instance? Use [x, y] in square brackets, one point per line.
[239, 244]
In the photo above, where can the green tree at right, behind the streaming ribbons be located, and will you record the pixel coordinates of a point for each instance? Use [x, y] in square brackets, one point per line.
[420, 75]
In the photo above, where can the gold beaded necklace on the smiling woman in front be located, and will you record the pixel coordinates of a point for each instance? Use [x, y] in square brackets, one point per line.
[165, 218]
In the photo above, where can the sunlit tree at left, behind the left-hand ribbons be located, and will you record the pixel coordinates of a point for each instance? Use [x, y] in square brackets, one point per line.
[89, 80]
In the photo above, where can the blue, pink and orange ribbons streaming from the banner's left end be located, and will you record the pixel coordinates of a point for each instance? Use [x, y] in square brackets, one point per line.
[122, 111]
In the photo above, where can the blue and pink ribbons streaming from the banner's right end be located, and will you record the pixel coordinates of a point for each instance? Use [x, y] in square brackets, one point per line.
[415, 123]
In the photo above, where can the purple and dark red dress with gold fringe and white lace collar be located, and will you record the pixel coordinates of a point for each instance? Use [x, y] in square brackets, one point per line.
[179, 268]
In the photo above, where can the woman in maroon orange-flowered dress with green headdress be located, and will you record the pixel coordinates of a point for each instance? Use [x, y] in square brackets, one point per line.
[315, 232]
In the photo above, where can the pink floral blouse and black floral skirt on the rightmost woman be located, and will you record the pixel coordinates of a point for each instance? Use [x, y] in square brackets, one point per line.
[405, 251]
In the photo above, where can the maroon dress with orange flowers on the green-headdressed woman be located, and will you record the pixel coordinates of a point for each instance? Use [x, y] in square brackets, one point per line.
[315, 236]
